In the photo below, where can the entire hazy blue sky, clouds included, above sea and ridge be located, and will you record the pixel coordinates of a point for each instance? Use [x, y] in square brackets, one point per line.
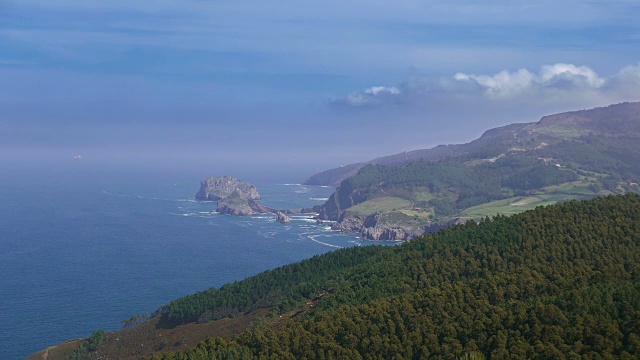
[299, 85]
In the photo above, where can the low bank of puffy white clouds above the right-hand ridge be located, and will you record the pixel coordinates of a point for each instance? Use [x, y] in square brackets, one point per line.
[559, 83]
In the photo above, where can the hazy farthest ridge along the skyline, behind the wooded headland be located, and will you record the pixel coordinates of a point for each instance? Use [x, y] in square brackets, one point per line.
[615, 120]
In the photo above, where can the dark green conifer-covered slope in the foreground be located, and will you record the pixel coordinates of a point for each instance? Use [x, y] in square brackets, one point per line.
[561, 281]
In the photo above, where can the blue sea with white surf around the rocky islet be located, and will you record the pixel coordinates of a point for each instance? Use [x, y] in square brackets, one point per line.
[83, 248]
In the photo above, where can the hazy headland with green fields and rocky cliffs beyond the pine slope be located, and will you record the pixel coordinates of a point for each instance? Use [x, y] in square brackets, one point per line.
[576, 155]
